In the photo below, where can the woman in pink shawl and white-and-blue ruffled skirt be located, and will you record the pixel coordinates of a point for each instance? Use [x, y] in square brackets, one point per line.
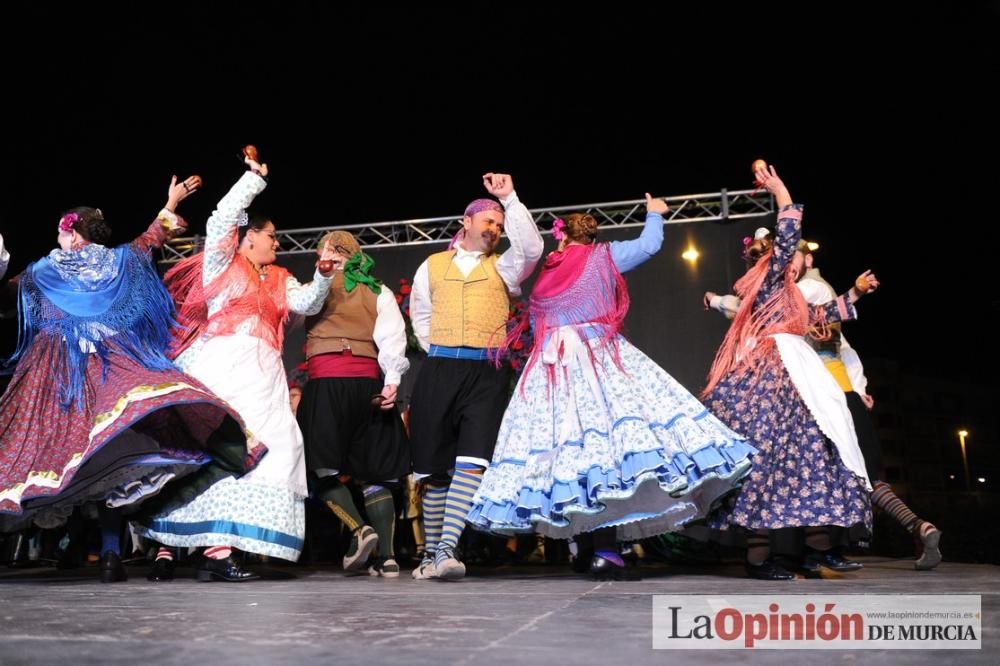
[597, 437]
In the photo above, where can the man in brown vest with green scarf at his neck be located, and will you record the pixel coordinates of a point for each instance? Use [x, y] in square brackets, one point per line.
[356, 351]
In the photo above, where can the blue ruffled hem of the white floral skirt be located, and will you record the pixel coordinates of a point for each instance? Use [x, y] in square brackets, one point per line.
[645, 495]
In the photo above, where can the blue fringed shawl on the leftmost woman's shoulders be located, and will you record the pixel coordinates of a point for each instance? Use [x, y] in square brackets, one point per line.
[129, 312]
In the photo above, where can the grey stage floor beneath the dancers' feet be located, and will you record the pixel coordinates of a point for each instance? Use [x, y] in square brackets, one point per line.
[509, 615]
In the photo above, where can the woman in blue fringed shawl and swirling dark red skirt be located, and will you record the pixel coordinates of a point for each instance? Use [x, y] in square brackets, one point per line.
[95, 410]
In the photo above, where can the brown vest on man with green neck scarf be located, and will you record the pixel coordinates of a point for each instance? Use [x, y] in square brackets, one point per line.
[346, 321]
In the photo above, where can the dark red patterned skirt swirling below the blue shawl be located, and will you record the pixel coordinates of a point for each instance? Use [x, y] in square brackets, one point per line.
[135, 430]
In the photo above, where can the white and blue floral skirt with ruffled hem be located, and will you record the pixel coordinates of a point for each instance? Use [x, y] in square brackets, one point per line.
[586, 444]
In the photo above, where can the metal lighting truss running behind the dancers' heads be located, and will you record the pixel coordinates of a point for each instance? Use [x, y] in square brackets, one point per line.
[722, 206]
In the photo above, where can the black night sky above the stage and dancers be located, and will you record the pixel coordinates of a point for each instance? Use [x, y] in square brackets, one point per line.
[371, 113]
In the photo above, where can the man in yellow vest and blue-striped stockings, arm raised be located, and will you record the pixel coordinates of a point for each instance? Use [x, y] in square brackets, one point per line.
[459, 306]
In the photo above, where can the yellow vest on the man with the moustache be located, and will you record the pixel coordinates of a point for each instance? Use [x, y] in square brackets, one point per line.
[466, 311]
